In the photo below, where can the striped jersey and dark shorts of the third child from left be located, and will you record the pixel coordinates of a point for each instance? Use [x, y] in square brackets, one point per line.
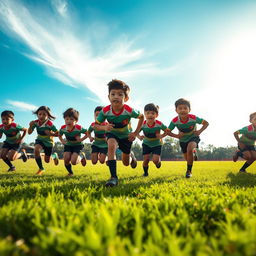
[72, 145]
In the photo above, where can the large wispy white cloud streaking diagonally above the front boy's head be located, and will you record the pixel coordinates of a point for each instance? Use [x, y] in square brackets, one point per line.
[69, 56]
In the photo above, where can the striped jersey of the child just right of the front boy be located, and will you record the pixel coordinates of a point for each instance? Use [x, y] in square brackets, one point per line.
[150, 133]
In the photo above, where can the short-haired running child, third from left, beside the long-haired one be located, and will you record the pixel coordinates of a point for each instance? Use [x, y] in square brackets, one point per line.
[73, 142]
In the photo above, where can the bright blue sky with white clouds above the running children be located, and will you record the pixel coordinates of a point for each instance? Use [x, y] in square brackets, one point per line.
[63, 53]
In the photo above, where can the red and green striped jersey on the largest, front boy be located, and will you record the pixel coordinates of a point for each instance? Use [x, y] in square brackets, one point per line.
[121, 120]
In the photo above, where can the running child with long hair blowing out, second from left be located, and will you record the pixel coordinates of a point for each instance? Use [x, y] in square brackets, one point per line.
[44, 141]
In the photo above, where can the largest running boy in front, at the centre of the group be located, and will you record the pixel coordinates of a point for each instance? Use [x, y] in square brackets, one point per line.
[118, 130]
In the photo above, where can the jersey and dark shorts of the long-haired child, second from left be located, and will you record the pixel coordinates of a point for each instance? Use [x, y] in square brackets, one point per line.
[43, 139]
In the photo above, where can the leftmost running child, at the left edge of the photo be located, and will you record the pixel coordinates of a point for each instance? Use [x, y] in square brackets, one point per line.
[11, 149]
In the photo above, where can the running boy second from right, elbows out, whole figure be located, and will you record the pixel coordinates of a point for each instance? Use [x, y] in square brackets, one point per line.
[188, 133]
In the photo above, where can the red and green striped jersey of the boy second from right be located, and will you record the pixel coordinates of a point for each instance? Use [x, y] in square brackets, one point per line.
[188, 127]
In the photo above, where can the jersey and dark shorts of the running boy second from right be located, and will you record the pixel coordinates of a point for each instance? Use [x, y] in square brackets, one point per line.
[188, 128]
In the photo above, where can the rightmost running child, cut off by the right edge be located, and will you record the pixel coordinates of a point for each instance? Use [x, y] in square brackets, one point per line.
[246, 138]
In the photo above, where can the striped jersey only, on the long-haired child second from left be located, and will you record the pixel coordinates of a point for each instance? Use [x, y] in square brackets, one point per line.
[41, 135]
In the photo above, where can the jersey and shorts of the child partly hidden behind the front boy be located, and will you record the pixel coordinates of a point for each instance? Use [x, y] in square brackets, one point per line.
[99, 144]
